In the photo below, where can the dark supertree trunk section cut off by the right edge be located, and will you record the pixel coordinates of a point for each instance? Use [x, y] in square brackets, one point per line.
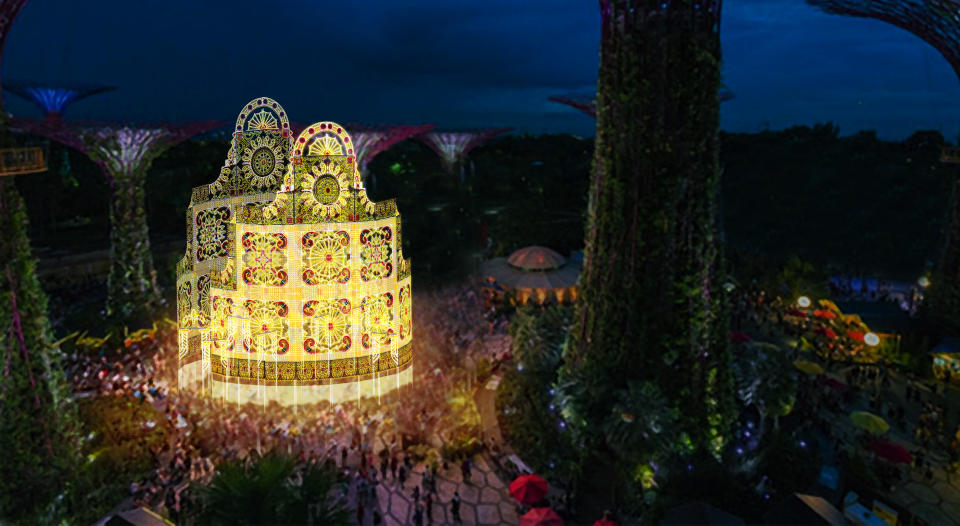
[942, 304]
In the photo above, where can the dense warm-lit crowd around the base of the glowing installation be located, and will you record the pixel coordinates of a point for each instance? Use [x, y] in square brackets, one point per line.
[367, 442]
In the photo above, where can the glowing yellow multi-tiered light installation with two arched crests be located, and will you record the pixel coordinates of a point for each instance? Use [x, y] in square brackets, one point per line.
[294, 287]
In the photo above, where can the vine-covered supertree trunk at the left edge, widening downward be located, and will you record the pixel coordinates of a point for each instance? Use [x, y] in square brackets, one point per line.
[36, 426]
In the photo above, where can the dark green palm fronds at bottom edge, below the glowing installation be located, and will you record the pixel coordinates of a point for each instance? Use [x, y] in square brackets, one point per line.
[266, 493]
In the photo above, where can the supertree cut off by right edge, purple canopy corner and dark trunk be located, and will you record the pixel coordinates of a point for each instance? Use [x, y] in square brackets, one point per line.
[936, 23]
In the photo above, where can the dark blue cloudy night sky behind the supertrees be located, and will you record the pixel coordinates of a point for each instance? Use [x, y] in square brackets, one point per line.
[458, 63]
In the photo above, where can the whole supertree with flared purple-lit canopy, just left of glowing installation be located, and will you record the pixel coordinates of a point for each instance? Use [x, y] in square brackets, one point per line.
[124, 153]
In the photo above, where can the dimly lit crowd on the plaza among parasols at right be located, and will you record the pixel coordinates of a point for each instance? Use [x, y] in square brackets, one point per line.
[858, 378]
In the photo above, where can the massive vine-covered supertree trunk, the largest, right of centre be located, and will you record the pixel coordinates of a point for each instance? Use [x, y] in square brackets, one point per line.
[651, 303]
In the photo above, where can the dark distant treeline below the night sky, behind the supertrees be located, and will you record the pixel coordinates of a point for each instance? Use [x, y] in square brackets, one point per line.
[849, 204]
